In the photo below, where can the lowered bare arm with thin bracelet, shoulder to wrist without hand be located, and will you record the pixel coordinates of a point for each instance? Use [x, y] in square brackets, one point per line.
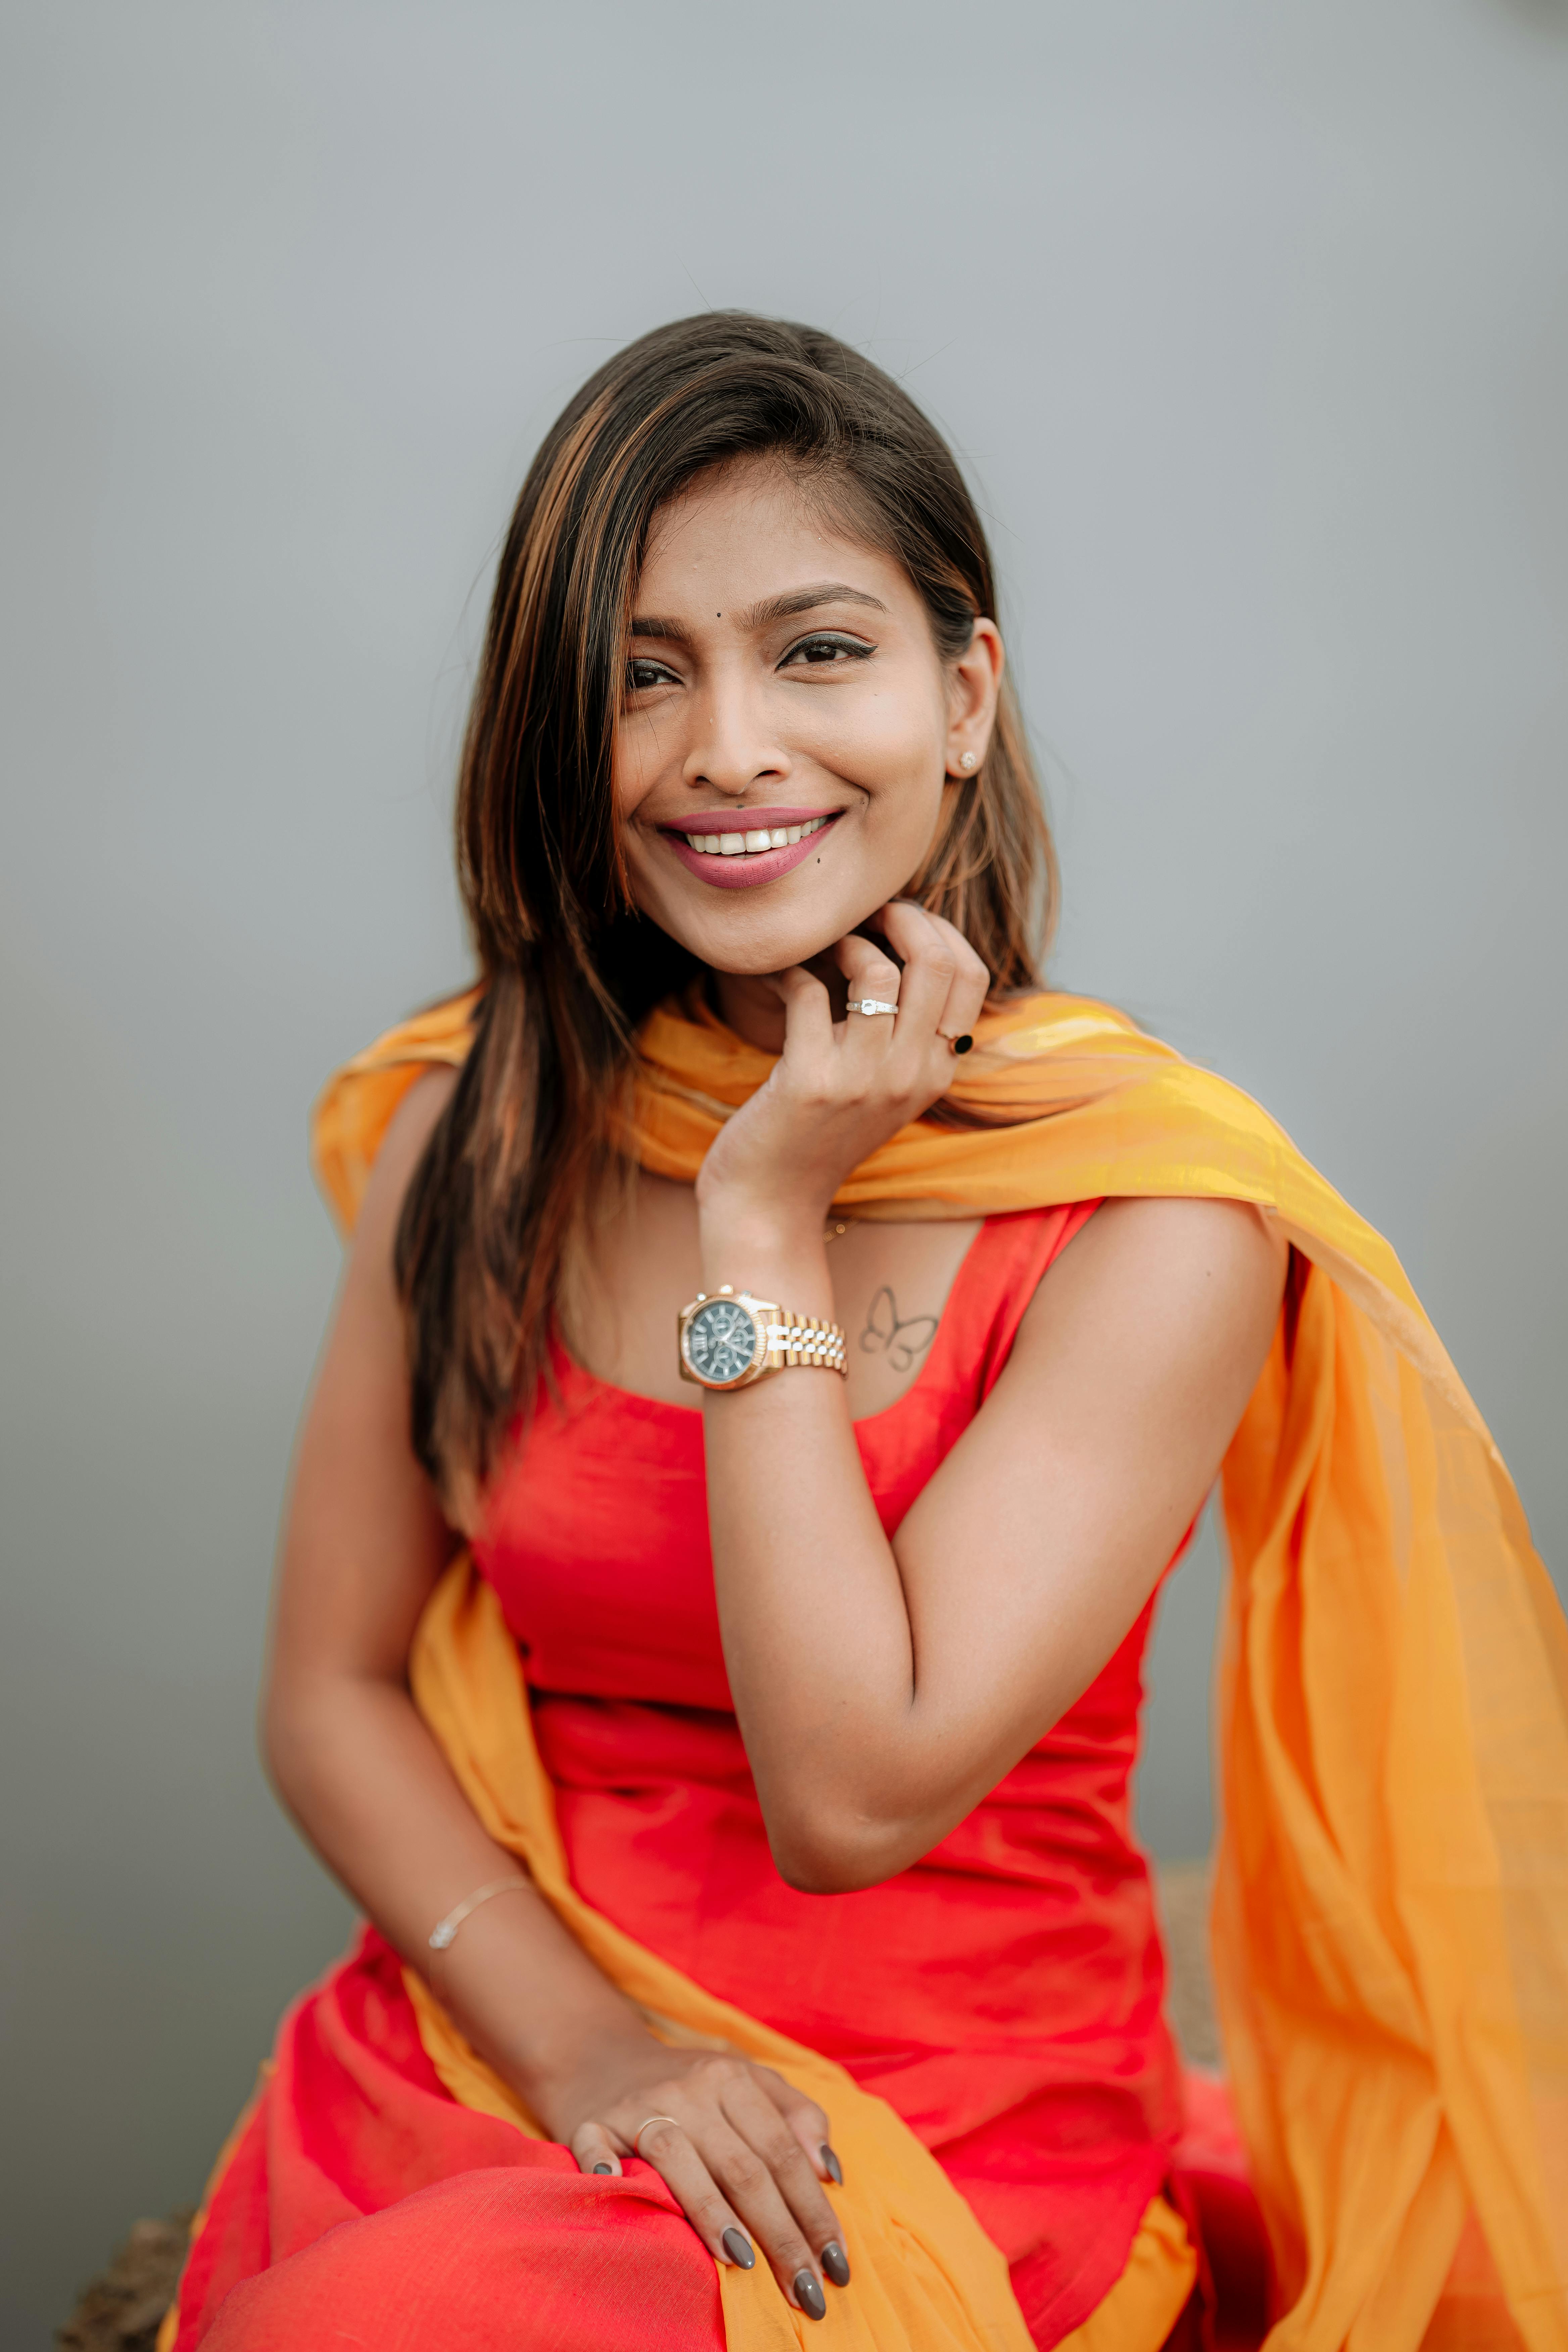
[349, 1756]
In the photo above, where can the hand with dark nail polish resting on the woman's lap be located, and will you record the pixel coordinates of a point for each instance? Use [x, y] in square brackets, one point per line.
[742, 2151]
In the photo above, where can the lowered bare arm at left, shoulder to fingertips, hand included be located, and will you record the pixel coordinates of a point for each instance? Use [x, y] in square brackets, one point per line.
[351, 1758]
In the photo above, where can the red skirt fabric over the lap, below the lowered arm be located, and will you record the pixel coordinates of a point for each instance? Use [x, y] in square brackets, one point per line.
[361, 2205]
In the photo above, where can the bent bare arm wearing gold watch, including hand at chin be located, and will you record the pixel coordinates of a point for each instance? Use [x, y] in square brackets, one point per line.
[885, 1688]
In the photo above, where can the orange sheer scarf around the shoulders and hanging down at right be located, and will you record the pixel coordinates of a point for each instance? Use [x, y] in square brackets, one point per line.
[1393, 1876]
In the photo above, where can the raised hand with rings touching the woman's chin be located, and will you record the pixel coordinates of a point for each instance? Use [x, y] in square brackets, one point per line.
[843, 1088]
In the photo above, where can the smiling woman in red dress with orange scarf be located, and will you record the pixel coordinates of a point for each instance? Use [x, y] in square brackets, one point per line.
[742, 1469]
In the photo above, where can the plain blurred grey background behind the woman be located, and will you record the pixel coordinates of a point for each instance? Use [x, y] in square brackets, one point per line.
[1254, 333]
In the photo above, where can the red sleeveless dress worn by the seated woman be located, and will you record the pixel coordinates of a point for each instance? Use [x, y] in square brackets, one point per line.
[1005, 1996]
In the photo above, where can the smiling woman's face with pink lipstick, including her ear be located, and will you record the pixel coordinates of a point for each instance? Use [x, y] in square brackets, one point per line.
[791, 735]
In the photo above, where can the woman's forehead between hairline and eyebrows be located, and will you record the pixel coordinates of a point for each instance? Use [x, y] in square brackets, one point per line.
[746, 533]
